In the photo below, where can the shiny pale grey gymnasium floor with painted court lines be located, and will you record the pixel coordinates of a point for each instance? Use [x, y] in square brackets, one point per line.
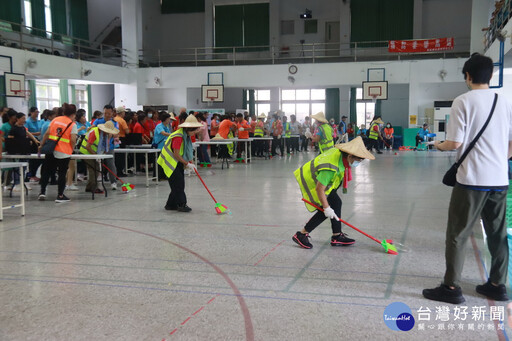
[123, 268]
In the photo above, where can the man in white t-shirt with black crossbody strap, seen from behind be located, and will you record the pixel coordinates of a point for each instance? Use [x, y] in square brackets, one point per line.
[482, 182]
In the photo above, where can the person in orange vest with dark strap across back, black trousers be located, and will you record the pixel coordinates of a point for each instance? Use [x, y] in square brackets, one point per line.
[63, 130]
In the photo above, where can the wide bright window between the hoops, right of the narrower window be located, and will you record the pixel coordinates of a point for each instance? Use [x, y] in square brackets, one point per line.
[302, 102]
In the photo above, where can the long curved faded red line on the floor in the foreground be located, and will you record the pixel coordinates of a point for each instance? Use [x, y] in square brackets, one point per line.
[249, 329]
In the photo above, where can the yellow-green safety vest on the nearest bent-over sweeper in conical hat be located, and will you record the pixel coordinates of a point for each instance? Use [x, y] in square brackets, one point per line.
[306, 175]
